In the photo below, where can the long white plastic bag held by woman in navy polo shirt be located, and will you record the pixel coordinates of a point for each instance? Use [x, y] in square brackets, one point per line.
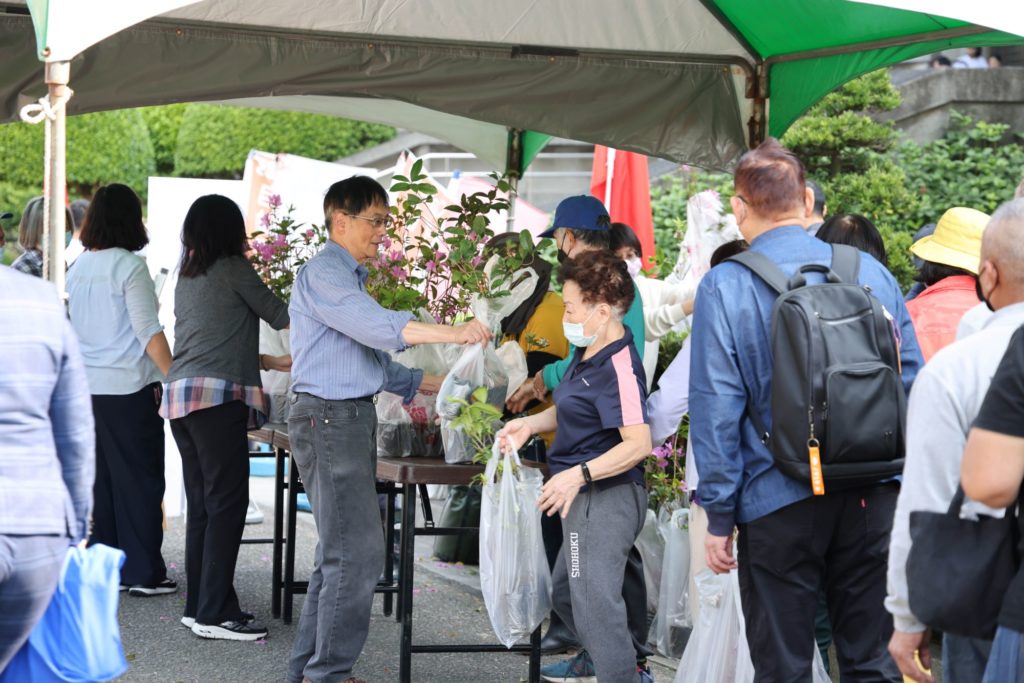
[515, 576]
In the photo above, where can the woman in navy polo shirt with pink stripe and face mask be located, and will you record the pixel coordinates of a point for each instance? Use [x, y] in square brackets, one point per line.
[596, 461]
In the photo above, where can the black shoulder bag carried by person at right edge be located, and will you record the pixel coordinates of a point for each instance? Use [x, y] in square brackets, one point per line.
[959, 571]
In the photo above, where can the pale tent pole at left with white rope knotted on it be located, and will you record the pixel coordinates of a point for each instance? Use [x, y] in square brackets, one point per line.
[58, 76]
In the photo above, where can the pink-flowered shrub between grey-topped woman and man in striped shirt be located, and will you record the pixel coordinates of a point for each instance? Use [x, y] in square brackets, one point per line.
[282, 246]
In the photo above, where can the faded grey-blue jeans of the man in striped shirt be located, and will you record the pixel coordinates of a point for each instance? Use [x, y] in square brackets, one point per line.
[334, 446]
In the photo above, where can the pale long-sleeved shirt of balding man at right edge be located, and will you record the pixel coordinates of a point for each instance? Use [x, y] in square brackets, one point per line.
[946, 400]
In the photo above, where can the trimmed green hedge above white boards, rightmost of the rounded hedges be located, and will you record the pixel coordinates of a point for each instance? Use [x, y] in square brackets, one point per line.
[215, 141]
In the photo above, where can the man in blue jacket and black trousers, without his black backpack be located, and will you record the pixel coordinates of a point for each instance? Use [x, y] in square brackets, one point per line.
[790, 543]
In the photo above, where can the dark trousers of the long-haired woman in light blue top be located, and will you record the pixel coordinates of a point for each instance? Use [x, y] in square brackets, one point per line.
[130, 486]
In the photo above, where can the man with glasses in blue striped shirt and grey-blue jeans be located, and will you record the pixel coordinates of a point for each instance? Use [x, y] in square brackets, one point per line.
[339, 362]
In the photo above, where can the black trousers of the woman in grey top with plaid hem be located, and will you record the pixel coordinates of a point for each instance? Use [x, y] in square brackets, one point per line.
[215, 452]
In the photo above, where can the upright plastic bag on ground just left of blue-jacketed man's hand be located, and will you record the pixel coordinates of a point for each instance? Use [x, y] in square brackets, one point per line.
[673, 622]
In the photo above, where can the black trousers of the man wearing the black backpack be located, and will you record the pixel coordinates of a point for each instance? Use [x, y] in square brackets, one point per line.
[840, 541]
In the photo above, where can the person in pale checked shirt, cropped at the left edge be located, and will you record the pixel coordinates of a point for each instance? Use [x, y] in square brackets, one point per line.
[48, 452]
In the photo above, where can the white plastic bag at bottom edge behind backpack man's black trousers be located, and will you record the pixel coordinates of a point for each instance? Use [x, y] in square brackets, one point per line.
[718, 653]
